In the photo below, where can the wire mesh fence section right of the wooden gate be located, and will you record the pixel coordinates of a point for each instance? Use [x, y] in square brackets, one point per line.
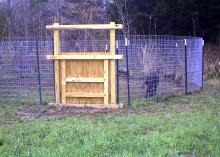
[157, 67]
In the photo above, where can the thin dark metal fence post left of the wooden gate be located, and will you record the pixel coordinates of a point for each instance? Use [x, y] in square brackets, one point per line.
[38, 70]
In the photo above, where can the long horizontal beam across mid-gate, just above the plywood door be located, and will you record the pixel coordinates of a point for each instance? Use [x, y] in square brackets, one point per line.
[84, 57]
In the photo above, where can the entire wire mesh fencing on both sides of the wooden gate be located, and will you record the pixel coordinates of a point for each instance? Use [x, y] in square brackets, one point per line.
[153, 68]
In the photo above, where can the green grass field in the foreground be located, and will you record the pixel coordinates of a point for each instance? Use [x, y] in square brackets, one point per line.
[183, 126]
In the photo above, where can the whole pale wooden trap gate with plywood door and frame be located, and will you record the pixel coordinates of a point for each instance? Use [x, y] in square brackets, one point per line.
[85, 77]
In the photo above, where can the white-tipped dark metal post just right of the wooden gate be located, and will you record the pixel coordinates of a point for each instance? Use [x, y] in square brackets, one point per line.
[128, 72]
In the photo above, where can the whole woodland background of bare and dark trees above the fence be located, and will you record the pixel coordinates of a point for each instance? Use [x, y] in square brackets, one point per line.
[149, 17]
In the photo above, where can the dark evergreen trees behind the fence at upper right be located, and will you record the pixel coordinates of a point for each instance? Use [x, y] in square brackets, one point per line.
[173, 17]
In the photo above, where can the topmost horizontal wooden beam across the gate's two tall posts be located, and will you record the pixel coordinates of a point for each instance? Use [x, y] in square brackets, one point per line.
[90, 26]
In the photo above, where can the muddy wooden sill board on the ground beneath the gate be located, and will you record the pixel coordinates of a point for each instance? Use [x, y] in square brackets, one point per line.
[97, 106]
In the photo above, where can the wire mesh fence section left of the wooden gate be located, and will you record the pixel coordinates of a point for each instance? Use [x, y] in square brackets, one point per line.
[26, 75]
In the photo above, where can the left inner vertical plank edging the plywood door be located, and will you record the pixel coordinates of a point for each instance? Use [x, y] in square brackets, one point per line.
[63, 79]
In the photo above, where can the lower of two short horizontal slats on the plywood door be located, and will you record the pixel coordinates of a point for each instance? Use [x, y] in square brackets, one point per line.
[84, 95]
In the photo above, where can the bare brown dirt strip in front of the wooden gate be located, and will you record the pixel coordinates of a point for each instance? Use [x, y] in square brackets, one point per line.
[66, 111]
